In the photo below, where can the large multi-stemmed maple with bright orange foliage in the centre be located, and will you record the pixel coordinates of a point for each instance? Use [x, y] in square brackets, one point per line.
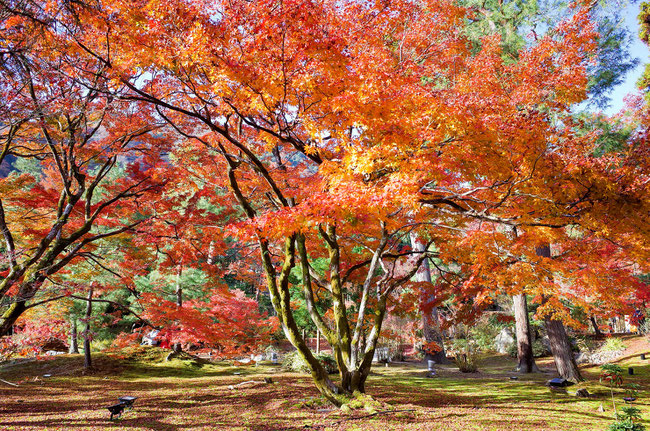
[333, 131]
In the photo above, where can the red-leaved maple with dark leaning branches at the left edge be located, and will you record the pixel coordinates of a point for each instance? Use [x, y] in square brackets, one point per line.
[89, 153]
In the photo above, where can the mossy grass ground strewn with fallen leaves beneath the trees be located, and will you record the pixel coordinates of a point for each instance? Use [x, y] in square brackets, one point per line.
[185, 395]
